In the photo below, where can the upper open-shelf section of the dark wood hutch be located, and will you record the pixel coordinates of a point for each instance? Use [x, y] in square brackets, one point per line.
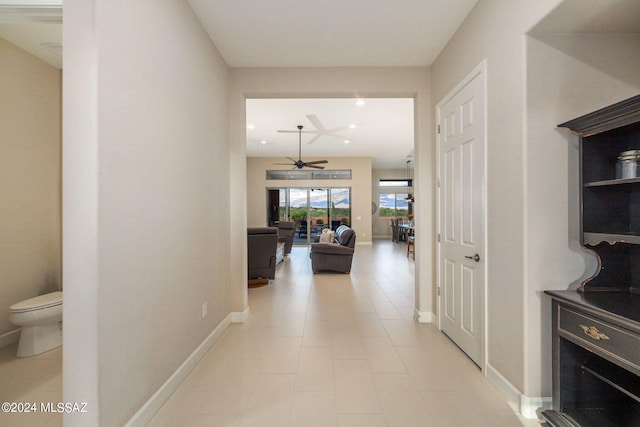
[610, 206]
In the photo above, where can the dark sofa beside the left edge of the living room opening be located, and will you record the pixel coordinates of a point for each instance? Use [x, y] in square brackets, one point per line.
[261, 252]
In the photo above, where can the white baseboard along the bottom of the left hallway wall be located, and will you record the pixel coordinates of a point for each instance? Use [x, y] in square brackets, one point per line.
[155, 402]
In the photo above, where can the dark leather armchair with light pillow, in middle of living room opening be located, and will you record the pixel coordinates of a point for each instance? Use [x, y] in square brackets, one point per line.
[335, 256]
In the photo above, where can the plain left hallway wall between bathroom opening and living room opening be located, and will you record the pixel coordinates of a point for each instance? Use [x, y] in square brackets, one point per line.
[146, 200]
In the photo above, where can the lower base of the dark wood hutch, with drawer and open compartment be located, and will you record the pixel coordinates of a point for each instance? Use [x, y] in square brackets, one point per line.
[596, 359]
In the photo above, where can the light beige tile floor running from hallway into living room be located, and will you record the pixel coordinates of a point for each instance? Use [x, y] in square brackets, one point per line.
[337, 350]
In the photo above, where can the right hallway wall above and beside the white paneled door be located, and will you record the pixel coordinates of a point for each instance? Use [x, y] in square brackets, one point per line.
[495, 31]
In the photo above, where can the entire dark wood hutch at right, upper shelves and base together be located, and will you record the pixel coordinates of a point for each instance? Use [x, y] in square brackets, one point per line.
[596, 329]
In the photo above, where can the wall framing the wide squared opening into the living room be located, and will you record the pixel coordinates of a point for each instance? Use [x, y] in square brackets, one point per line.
[335, 83]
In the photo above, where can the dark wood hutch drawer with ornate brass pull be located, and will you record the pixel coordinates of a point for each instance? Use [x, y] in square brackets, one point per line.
[618, 345]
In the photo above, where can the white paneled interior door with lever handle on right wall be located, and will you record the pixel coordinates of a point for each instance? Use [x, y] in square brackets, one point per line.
[461, 169]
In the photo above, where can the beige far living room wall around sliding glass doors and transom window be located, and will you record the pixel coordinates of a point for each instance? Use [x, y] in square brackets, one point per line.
[360, 183]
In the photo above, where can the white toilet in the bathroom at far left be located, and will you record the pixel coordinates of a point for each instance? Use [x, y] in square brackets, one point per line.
[41, 321]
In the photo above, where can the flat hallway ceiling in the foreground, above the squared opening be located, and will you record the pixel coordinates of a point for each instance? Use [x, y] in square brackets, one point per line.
[331, 33]
